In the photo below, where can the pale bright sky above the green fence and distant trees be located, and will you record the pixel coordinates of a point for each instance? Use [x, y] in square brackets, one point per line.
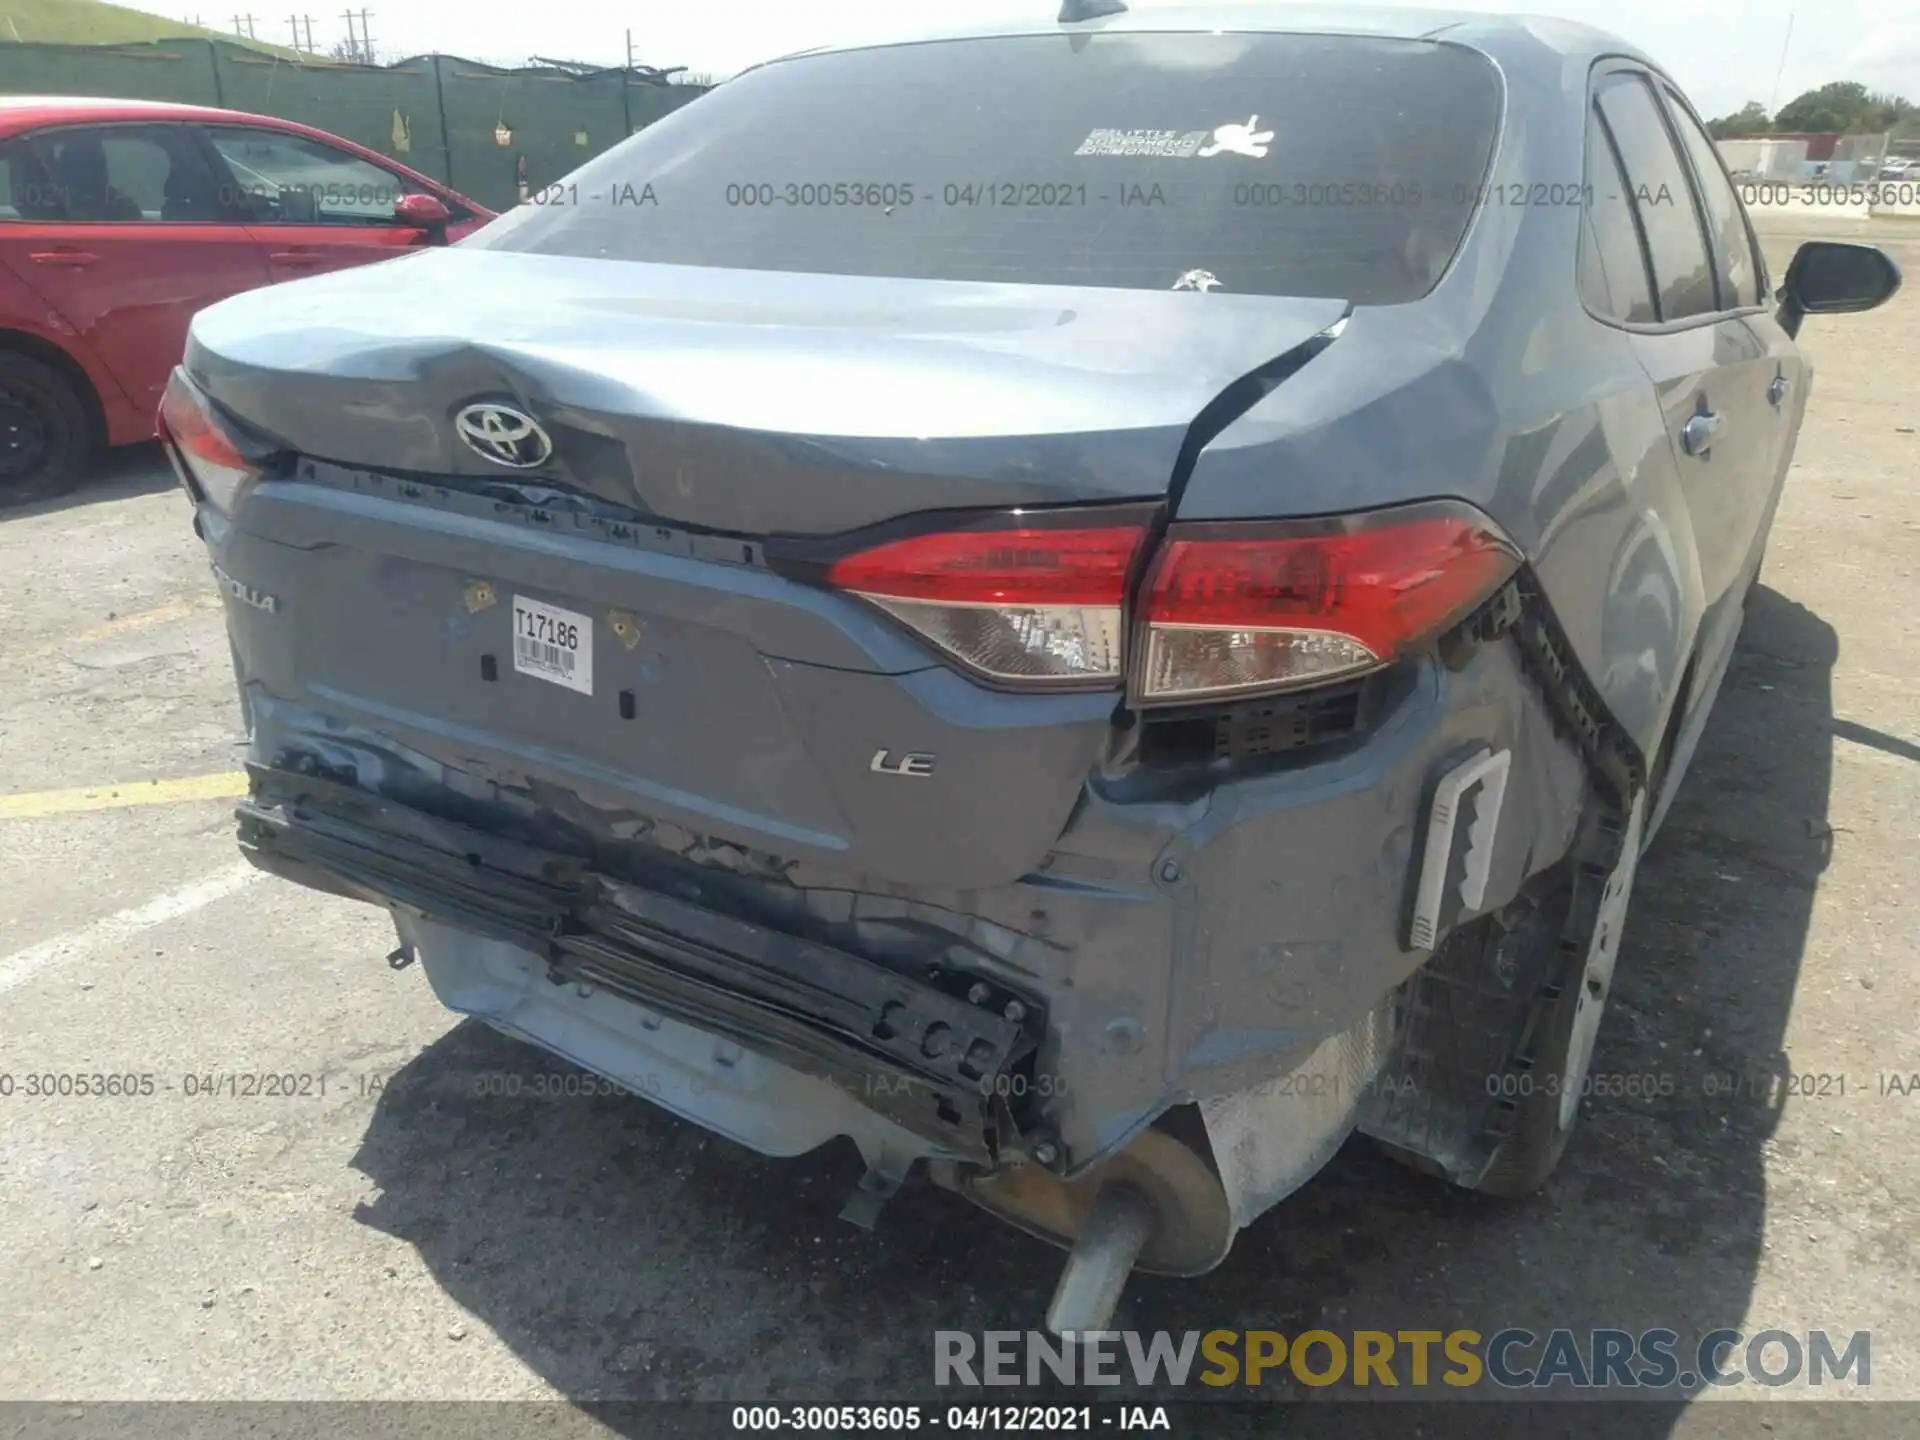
[1723, 53]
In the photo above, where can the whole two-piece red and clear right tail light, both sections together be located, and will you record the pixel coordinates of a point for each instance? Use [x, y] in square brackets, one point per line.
[1226, 610]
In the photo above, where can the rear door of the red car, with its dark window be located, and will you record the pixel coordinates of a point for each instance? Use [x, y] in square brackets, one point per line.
[128, 239]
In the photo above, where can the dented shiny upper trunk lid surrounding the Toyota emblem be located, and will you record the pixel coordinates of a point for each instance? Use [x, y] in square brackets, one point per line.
[746, 402]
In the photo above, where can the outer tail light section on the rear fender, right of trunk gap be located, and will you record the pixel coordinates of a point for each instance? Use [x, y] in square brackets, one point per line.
[1237, 610]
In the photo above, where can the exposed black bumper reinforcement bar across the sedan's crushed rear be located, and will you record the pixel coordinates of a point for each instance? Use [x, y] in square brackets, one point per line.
[934, 1065]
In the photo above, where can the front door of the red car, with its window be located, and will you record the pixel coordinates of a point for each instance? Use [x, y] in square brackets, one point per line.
[314, 206]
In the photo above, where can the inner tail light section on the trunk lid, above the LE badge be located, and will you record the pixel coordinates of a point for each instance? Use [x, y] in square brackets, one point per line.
[1022, 604]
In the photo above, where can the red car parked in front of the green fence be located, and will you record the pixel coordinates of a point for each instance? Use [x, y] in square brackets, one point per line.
[122, 218]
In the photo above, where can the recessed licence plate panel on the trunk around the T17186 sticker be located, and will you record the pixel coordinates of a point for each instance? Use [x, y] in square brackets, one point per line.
[681, 719]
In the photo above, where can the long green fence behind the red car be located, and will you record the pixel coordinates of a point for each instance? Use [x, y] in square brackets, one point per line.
[491, 133]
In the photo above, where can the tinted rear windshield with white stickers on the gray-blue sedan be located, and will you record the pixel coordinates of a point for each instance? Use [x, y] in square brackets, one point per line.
[1245, 164]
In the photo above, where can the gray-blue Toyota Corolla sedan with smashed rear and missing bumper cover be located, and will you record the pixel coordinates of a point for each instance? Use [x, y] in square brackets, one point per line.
[1095, 604]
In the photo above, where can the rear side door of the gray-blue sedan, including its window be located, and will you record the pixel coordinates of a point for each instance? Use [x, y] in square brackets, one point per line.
[1710, 368]
